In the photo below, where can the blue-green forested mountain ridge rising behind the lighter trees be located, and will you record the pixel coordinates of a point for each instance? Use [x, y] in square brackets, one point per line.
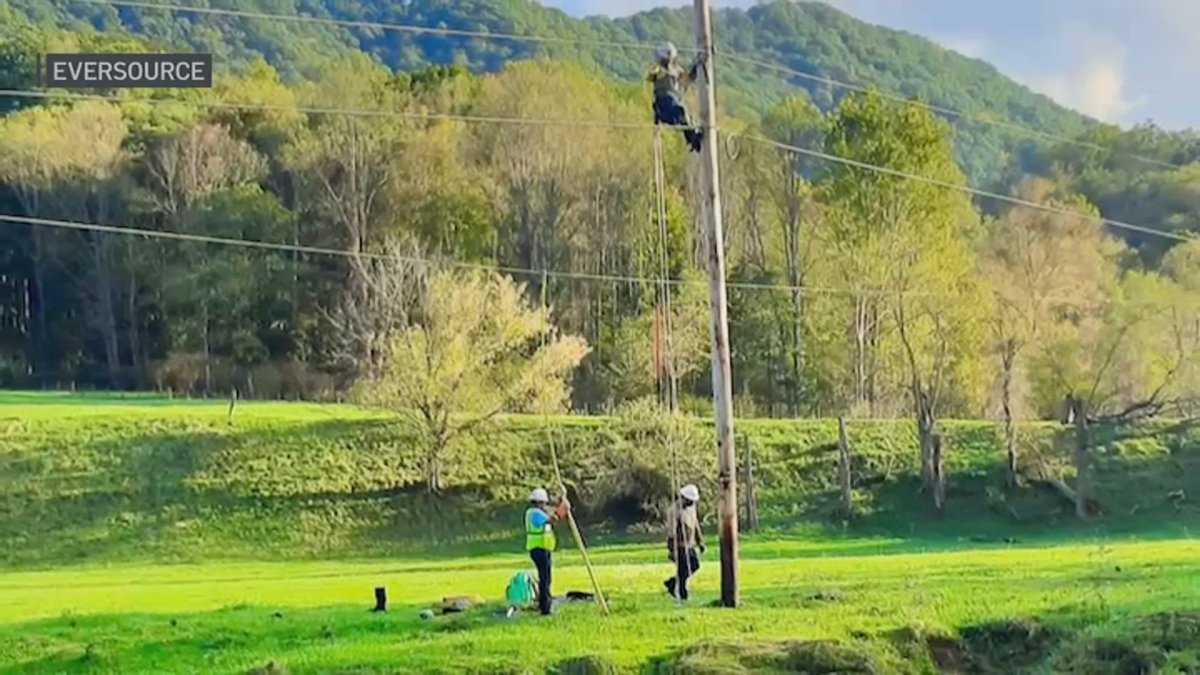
[811, 38]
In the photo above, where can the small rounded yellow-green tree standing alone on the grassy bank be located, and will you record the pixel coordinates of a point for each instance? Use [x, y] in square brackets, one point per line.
[478, 350]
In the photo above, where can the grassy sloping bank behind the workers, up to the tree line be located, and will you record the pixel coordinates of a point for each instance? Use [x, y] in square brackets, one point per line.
[109, 480]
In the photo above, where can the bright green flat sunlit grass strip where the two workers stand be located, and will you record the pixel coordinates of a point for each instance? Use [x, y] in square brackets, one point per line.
[313, 617]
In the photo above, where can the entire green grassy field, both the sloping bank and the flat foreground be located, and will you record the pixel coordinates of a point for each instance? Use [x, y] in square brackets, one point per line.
[149, 536]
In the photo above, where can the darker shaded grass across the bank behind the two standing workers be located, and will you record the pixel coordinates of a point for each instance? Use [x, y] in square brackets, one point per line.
[338, 488]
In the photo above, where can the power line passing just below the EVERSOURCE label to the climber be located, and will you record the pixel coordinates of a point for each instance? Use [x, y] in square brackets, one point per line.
[323, 111]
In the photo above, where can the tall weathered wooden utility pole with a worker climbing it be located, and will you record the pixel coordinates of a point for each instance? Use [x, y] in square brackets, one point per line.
[723, 390]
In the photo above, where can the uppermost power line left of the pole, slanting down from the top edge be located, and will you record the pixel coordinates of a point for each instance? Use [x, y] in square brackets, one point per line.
[377, 26]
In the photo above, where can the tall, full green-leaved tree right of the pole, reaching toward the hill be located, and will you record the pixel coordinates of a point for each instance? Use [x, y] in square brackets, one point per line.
[905, 249]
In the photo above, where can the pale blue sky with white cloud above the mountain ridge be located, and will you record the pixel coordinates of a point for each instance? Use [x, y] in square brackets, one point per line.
[1118, 61]
